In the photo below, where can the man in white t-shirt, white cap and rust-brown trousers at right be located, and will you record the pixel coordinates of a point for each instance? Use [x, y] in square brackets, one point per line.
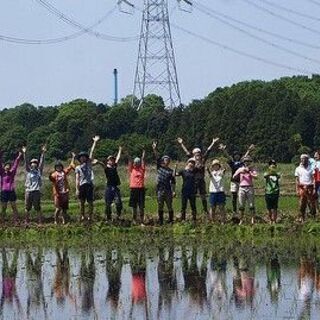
[305, 187]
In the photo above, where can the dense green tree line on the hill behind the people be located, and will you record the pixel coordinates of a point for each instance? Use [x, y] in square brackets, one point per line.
[280, 117]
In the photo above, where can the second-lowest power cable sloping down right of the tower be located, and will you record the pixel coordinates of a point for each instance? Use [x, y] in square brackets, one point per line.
[249, 34]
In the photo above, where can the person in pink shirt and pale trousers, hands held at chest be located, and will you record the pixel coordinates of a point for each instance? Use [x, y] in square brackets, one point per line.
[246, 190]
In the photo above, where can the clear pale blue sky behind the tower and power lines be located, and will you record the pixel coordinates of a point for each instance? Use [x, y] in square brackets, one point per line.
[82, 67]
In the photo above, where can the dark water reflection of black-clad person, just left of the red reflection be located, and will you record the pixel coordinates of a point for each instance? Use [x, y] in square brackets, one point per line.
[113, 270]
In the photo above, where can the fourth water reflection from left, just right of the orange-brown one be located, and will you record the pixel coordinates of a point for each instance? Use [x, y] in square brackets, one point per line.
[87, 277]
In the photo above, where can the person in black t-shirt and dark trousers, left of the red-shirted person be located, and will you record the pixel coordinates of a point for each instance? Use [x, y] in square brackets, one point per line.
[112, 193]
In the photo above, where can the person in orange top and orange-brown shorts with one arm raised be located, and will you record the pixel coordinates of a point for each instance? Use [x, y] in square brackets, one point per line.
[61, 189]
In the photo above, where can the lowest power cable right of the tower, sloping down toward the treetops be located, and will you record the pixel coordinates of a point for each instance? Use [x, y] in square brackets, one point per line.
[241, 52]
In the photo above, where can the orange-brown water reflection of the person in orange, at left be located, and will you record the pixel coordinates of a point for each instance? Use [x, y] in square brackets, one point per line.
[61, 286]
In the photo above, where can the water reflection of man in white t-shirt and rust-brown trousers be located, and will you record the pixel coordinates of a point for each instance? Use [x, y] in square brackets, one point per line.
[306, 285]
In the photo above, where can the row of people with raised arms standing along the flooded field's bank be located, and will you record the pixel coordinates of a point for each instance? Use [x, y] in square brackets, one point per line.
[193, 182]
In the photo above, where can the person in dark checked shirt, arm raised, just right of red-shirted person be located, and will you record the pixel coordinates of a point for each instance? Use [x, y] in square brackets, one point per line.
[166, 184]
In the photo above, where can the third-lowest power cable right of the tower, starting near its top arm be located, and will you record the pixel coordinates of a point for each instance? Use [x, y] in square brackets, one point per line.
[258, 29]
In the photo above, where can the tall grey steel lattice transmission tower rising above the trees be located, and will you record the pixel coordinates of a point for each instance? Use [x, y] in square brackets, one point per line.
[156, 70]
